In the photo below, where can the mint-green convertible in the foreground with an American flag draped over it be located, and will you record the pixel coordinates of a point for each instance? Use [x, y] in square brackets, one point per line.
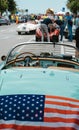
[39, 87]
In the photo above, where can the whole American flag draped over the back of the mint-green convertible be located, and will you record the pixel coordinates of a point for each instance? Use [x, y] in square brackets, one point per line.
[38, 112]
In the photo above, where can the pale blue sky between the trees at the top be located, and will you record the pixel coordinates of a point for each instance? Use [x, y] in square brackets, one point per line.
[40, 6]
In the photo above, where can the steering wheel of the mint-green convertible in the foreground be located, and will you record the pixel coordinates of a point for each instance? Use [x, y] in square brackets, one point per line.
[27, 59]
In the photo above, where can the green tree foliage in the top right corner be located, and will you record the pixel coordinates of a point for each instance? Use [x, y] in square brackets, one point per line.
[73, 5]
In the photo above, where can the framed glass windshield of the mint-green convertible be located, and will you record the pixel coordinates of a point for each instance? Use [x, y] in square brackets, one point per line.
[40, 48]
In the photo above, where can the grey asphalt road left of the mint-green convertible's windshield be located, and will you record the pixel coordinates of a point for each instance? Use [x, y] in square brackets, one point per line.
[9, 37]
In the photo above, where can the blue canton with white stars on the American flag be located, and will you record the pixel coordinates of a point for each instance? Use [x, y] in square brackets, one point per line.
[22, 107]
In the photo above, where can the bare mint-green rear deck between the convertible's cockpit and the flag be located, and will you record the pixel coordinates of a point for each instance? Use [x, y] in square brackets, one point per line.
[39, 81]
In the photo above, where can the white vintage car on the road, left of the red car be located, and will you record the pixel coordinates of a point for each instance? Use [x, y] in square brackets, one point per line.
[26, 28]
